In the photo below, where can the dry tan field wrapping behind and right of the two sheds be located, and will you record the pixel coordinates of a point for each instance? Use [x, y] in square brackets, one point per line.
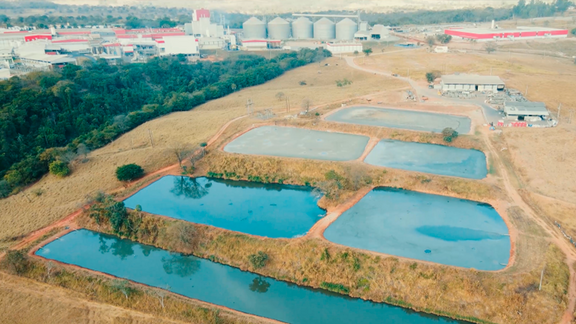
[542, 158]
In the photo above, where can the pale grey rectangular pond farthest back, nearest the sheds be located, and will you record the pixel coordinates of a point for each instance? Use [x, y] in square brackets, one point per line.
[404, 119]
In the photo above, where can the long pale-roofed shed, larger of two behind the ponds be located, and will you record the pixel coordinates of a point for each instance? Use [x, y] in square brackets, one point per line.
[471, 82]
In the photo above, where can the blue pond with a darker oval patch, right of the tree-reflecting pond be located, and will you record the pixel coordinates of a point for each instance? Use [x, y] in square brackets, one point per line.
[421, 226]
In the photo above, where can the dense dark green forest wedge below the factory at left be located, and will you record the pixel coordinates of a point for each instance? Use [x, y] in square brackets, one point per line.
[52, 116]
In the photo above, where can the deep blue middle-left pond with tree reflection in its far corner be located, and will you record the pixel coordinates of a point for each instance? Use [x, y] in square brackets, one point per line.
[271, 210]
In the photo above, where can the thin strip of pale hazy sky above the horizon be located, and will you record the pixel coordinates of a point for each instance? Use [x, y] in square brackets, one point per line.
[278, 6]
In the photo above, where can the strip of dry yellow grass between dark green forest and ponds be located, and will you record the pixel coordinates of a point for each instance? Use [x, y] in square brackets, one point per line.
[26, 212]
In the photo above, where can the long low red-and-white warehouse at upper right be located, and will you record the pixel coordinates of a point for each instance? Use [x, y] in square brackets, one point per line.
[480, 34]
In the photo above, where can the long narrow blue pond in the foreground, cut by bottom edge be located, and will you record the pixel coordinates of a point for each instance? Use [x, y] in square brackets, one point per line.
[221, 285]
